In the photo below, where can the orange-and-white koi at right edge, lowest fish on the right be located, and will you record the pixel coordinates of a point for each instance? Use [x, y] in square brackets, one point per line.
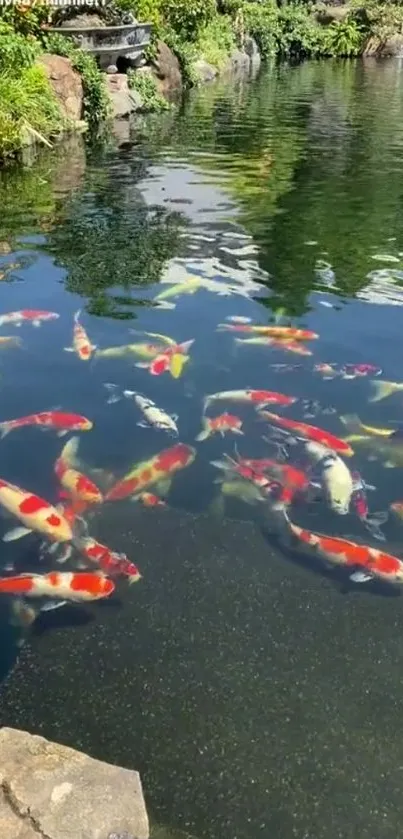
[373, 564]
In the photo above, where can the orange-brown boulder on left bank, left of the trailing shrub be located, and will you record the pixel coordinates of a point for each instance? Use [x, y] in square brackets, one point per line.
[66, 83]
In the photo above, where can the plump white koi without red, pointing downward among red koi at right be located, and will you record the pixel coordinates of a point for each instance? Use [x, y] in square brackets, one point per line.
[335, 477]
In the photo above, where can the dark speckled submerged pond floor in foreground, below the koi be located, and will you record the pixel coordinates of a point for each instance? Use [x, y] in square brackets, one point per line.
[252, 695]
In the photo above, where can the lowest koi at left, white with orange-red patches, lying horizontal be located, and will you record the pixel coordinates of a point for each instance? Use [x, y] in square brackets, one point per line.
[70, 586]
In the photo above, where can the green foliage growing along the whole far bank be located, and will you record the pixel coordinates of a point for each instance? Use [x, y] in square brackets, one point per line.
[194, 29]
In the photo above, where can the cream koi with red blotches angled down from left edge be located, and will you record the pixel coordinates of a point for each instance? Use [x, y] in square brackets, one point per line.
[34, 513]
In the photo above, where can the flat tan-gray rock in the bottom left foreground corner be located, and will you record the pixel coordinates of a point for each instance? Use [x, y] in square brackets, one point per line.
[54, 792]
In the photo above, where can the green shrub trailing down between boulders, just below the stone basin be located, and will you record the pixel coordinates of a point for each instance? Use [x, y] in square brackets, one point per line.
[96, 102]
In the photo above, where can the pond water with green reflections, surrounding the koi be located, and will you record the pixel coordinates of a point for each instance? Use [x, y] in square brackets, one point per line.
[256, 688]
